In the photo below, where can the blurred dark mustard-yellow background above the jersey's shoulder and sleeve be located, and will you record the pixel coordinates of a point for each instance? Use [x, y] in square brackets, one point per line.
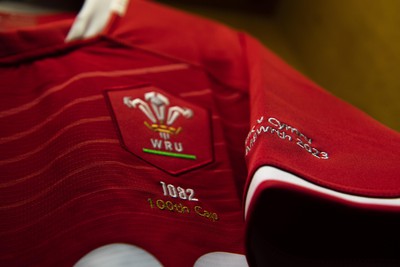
[350, 47]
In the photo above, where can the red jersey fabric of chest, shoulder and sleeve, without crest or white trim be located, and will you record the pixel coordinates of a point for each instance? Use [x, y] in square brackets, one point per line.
[68, 185]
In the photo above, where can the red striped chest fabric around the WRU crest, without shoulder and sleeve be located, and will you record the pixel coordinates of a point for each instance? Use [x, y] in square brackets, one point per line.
[69, 186]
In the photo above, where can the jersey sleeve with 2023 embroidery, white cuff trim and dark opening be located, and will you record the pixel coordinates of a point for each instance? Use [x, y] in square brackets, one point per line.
[310, 157]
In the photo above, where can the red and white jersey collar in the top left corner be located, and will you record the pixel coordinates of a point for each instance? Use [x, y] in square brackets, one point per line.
[25, 36]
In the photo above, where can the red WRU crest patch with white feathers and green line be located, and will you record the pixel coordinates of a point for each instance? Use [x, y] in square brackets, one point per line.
[162, 129]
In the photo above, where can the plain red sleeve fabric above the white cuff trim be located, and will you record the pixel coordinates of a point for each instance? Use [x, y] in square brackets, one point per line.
[363, 154]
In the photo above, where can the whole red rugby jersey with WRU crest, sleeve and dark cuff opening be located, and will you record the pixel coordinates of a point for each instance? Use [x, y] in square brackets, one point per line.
[127, 148]
